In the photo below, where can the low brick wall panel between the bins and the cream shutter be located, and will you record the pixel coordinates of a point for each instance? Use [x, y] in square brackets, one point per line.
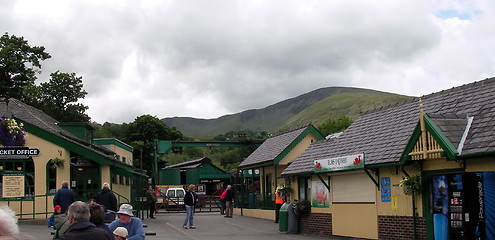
[316, 223]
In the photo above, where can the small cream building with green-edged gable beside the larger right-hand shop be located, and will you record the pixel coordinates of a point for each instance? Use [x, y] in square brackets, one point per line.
[269, 160]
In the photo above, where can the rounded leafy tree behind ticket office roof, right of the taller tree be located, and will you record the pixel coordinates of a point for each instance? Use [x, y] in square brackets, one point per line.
[60, 95]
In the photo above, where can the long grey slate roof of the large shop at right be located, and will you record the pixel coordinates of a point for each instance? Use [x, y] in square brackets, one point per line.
[382, 134]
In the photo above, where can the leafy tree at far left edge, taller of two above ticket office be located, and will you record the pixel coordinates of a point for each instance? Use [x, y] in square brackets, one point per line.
[19, 64]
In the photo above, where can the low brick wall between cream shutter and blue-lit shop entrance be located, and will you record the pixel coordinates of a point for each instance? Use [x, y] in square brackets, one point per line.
[400, 227]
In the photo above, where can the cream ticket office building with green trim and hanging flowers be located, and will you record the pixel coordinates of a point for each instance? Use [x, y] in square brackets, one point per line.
[65, 152]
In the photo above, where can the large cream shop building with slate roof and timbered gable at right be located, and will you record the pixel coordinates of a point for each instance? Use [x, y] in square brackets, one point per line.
[440, 148]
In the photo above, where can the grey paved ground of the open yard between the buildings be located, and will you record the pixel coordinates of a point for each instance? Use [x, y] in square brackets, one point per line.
[209, 226]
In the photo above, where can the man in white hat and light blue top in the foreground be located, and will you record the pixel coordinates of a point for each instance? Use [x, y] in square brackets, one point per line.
[127, 220]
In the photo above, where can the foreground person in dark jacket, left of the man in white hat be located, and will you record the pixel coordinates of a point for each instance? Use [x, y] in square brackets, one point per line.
[81, 227]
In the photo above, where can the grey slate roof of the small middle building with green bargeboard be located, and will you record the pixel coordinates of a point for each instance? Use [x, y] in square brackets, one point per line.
[272, 147]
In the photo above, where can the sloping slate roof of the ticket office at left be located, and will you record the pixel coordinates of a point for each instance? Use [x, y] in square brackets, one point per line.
[46, 123]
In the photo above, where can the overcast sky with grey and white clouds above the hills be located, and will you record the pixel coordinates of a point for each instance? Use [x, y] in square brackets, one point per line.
[205, 59]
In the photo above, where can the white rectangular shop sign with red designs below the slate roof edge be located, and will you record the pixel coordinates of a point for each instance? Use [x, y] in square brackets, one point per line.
[355, 161]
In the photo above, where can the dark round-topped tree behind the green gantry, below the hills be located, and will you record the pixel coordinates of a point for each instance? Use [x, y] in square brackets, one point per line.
[147, 129]
